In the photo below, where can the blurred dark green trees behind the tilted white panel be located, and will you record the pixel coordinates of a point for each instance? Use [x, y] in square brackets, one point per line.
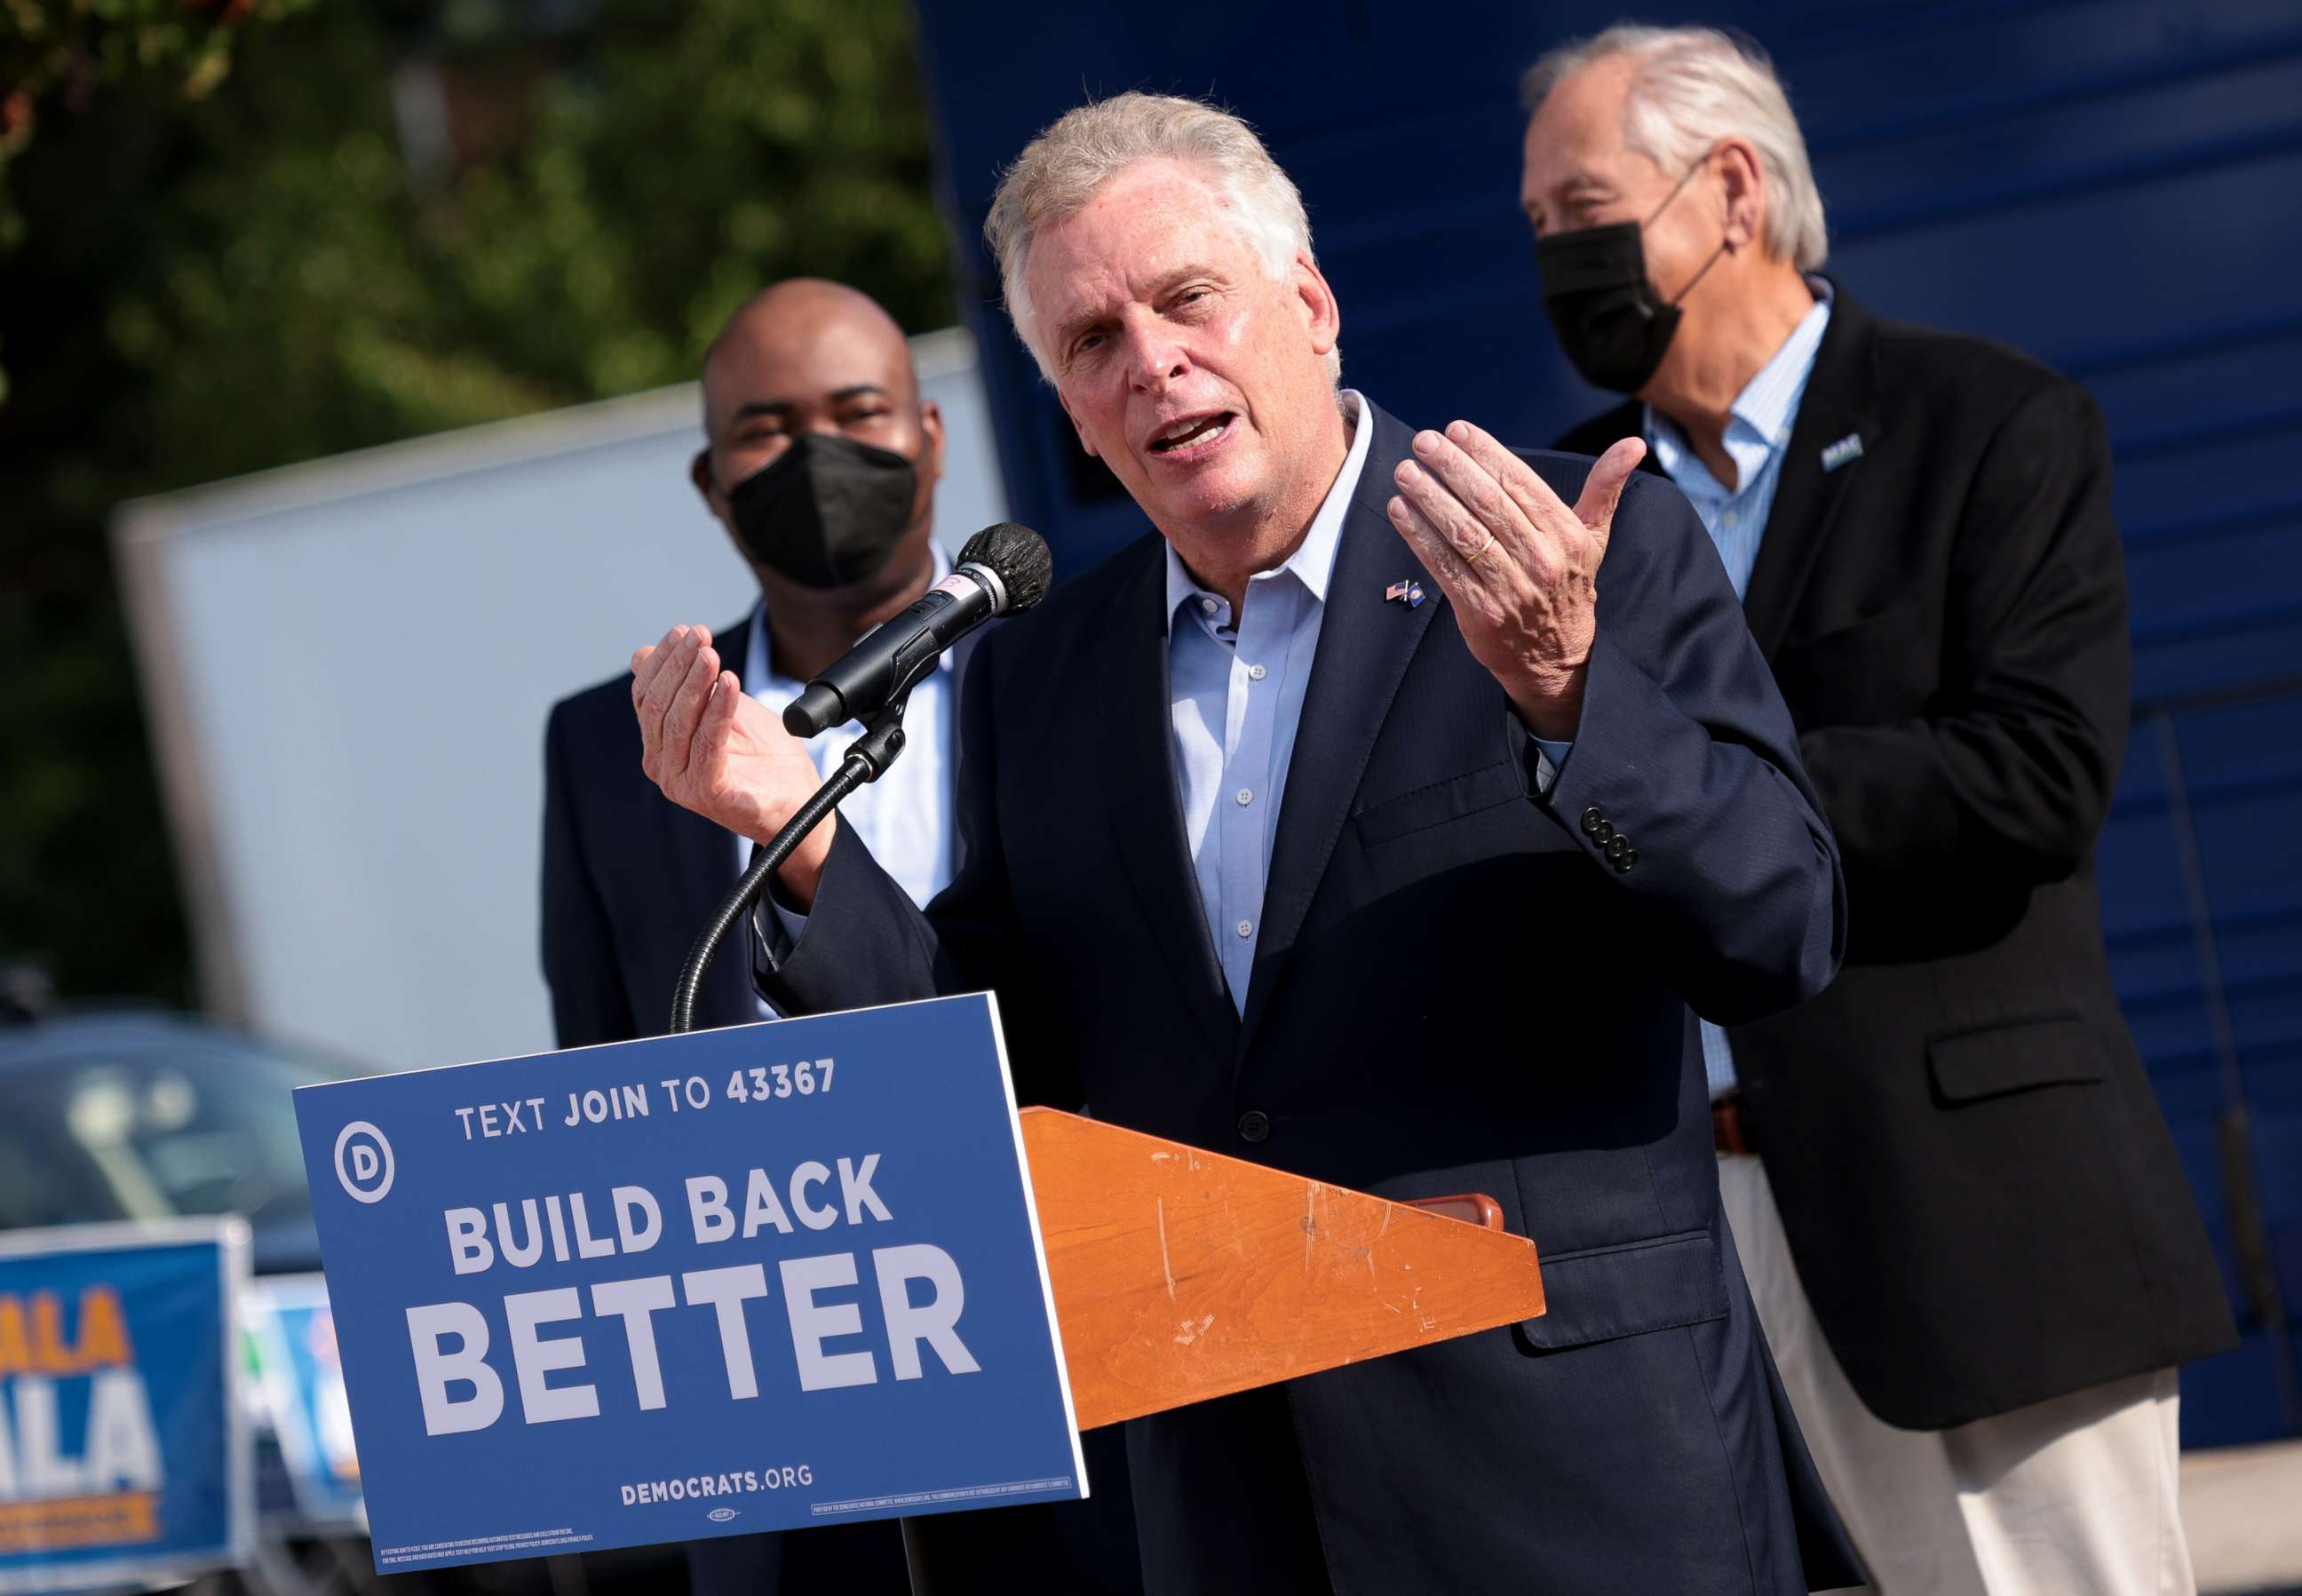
[296, 268]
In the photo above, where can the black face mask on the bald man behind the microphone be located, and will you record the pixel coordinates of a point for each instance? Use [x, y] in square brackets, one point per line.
[828, 512]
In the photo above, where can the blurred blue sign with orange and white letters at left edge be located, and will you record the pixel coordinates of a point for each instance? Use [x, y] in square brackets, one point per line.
[123, 1452]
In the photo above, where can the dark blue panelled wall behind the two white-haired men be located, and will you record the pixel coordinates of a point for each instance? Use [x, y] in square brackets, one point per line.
[2114, 185]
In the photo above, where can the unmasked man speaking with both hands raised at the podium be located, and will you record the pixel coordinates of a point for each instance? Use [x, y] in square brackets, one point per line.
[1378, 819]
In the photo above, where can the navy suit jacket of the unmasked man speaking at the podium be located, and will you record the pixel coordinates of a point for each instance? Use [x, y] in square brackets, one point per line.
[1454, 991]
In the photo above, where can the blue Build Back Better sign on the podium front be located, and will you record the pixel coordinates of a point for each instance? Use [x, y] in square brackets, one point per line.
[749, 1279]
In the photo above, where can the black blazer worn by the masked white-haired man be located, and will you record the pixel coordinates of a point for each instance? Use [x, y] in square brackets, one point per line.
[1969, 1160]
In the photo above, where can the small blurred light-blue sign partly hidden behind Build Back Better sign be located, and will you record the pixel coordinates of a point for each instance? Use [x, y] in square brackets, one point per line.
[300, 1378]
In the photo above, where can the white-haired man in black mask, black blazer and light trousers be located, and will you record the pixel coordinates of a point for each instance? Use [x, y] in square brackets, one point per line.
[1949, 1178]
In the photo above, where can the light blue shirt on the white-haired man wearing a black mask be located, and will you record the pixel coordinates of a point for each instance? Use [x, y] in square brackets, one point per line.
[1762, 423]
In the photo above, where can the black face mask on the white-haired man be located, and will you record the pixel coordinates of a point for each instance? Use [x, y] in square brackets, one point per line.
[1610, 321]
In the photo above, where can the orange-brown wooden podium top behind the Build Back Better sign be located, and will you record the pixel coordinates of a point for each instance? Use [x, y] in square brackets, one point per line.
[1182, 1275]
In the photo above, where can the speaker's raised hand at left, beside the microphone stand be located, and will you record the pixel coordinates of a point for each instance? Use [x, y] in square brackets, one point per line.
[717, 750]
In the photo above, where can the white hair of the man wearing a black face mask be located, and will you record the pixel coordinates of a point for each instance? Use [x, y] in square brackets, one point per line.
[1691, 89]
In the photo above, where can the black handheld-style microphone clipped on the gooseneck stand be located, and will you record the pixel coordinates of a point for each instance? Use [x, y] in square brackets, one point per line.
[1005, 570]
